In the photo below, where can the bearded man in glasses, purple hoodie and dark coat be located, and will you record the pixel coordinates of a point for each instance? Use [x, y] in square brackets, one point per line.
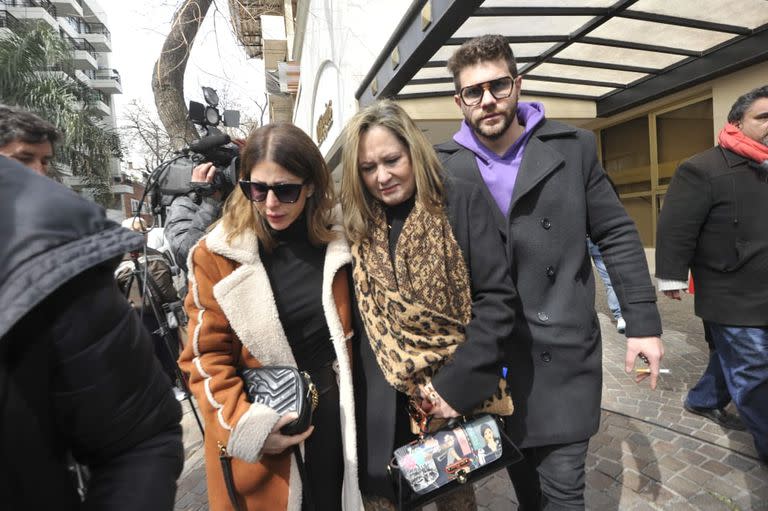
[548, 191]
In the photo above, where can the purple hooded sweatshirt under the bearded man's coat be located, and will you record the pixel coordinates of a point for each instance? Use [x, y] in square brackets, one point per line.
[500, 172]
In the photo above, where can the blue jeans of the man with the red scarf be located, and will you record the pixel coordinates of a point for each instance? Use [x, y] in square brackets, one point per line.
[740, 360]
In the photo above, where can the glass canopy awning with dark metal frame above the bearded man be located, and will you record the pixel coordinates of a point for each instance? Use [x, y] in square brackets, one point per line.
[617, 53]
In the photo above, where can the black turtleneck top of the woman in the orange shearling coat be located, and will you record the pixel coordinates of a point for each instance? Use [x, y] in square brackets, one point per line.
[295, 270]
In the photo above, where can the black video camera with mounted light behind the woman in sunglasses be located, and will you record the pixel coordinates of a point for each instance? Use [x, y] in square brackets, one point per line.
[215, 147]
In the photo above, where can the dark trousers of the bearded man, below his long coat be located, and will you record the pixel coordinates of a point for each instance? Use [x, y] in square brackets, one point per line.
[550, 477]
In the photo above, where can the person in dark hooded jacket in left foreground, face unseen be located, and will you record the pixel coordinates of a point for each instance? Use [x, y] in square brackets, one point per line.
[77, 371]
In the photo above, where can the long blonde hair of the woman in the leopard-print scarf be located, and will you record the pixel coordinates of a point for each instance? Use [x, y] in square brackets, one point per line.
[355, 199]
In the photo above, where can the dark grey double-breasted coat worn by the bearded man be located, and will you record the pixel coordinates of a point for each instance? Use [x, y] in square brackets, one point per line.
[554, 356]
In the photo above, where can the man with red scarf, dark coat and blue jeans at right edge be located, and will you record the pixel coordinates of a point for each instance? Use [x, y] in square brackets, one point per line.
[715, 222]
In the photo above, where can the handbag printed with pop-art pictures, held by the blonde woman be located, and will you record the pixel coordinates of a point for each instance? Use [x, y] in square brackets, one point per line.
[437, 463]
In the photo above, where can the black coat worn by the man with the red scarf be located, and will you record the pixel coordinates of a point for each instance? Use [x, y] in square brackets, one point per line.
[713, 222]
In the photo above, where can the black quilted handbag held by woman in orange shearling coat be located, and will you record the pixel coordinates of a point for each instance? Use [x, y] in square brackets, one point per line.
[284, 389]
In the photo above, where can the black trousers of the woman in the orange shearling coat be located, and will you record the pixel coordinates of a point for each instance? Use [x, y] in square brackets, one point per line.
[323, 452]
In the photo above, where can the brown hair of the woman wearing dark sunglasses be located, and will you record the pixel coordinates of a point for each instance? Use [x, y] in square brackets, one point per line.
[292, 149]
